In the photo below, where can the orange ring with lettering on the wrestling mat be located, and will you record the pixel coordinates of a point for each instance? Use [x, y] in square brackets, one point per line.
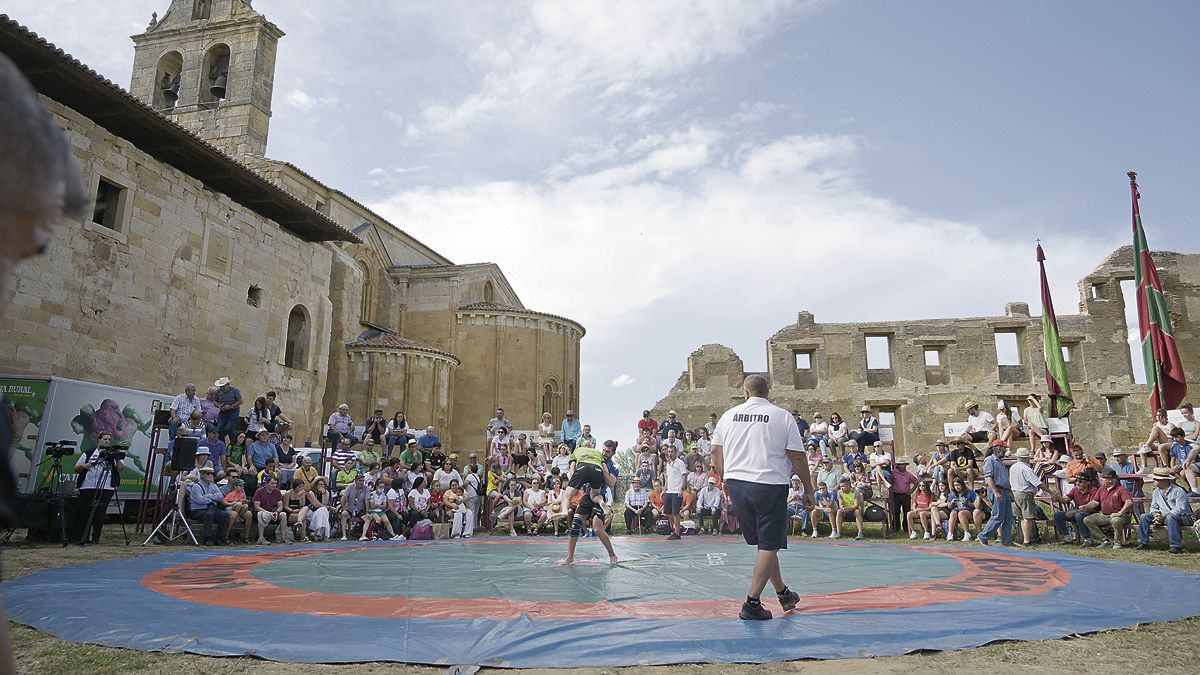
[227, 581]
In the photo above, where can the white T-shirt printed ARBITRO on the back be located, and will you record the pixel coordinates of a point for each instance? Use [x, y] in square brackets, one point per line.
[755, 438]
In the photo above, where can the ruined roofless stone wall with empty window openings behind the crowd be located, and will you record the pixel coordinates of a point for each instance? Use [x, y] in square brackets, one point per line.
[823, 367]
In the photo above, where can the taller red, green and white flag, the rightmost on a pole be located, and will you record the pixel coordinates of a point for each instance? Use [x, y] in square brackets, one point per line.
[1165, 369]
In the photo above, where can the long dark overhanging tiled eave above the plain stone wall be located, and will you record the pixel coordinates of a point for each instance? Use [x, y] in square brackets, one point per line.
[63, 79]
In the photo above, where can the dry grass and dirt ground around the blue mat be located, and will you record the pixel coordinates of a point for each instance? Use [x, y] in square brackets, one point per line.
[1160, 648]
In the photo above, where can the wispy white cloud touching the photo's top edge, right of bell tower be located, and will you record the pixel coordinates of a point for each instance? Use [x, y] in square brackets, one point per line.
[619, 52]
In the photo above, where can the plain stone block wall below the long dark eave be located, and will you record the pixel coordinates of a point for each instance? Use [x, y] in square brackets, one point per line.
[164, 298]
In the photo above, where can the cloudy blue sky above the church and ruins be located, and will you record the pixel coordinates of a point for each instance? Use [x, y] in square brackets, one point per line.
[674, 175]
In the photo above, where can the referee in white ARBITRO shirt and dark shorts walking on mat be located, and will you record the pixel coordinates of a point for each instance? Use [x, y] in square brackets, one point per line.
[757, 447]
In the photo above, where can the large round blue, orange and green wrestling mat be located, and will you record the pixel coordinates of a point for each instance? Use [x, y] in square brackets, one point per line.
[511, 604]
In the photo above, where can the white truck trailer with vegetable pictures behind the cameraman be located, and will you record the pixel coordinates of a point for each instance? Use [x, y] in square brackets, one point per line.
[49, 410]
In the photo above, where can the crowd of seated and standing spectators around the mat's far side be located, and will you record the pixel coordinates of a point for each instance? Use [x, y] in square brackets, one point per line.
[386, 479]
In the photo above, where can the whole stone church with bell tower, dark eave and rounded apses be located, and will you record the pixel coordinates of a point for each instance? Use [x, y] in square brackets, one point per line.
[202, 258]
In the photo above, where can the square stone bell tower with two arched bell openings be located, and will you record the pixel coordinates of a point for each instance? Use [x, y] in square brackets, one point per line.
[211, 67]
